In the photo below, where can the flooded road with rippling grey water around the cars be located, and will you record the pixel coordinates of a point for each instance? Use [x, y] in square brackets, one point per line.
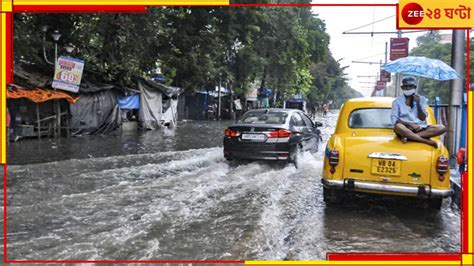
[171, 195]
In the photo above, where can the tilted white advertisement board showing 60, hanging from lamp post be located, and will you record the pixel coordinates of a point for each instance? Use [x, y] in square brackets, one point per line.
[68, 74]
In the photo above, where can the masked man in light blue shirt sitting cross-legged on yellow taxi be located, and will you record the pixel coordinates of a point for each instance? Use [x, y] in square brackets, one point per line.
[409, 116]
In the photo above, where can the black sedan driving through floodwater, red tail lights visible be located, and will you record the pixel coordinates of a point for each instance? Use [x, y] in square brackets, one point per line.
[271, 134]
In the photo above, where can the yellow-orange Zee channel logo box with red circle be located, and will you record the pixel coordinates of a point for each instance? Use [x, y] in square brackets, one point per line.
[435, 14]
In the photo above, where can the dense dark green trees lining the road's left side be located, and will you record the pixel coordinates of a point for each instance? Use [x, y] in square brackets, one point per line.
[197, 47]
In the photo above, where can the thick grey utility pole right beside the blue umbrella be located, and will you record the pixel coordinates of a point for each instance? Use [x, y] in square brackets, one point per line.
[455, 98]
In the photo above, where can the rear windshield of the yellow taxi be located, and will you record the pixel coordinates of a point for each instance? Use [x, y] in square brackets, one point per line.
[370, 118]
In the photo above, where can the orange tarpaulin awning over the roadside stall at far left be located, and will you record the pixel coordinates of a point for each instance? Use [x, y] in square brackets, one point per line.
[37, 95]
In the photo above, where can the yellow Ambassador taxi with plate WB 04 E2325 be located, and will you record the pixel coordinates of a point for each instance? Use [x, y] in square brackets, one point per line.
[365, 155]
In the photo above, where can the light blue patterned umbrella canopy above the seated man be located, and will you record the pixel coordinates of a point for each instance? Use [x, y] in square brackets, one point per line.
[423, 67]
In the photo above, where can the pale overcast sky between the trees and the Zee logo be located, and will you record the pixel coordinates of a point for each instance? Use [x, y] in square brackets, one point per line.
[360, 47]
